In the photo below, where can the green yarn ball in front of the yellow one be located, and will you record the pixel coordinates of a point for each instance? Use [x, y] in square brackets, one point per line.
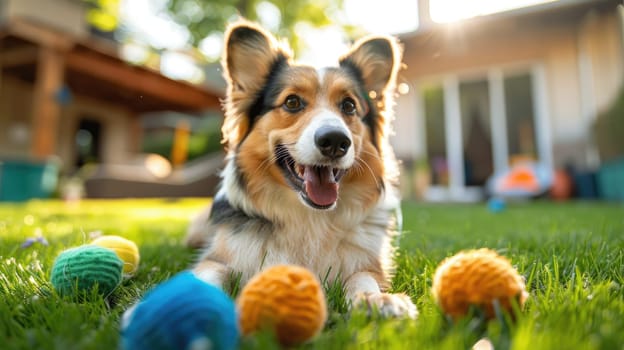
[79, 270]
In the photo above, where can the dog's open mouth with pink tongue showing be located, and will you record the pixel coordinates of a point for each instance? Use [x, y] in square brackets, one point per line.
[317, 184]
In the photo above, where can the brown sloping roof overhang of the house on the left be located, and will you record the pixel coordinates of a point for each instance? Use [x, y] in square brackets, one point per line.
[93, 69]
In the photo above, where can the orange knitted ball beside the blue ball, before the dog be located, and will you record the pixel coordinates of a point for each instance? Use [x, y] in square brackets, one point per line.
[285, 299]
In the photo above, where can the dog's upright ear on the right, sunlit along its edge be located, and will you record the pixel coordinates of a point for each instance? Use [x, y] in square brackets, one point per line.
[376, 60]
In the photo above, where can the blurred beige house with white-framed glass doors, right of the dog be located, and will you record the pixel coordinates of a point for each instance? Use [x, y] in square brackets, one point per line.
[494, 90]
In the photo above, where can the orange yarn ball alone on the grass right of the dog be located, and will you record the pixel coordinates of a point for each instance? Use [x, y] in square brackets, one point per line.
[479, 278]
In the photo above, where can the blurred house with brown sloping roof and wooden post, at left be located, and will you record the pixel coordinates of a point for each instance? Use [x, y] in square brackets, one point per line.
[67, 94]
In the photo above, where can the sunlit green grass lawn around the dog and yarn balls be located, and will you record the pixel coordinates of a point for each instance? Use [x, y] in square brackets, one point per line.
[572, 256]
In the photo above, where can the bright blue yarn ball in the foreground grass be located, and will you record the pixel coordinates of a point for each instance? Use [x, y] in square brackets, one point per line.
[182, 313]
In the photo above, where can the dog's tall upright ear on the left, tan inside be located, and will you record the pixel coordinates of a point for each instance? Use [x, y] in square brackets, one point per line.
[250, 54]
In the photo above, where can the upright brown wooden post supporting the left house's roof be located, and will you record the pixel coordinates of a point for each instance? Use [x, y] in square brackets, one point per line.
[45, 108]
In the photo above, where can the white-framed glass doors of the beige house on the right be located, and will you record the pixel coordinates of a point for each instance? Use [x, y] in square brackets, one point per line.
[476, 126]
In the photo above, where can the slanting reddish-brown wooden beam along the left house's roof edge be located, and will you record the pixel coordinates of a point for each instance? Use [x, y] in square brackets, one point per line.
[141, 81]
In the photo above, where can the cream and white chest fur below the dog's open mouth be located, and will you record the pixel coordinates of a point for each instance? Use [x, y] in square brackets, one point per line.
[332, 244]
